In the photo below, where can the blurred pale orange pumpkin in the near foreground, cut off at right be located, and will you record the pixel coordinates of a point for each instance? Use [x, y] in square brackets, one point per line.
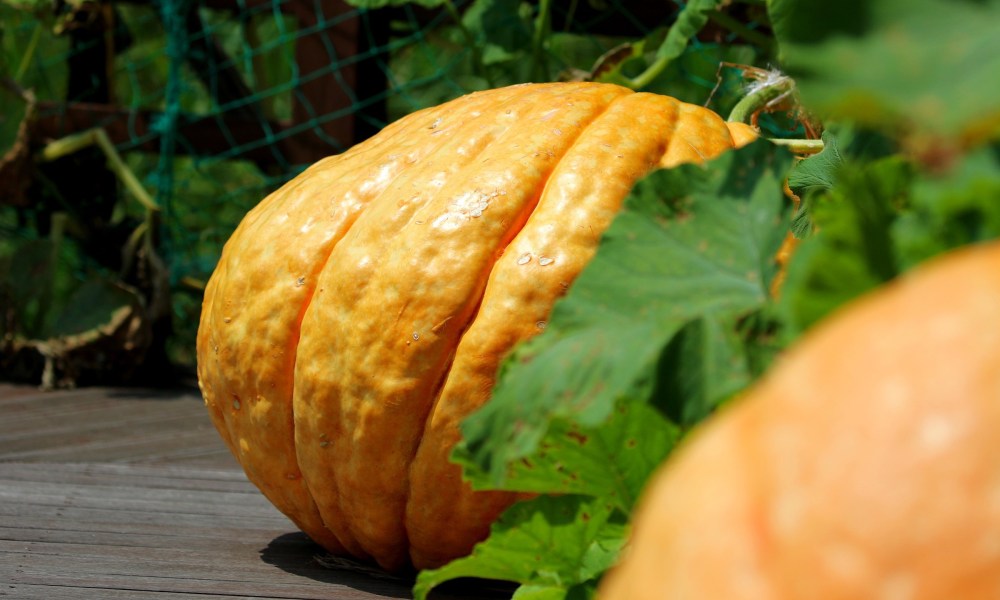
[866, 465]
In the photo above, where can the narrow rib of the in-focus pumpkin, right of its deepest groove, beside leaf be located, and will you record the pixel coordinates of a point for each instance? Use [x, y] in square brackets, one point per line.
[609, 141]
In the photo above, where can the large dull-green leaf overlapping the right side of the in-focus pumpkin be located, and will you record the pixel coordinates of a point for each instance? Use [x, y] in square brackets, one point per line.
[692, 241]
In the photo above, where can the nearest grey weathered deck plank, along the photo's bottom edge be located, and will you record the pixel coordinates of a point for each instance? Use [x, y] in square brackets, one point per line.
[102, 528]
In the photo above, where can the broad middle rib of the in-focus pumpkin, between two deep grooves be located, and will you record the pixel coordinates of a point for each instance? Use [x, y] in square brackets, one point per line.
[364, 416]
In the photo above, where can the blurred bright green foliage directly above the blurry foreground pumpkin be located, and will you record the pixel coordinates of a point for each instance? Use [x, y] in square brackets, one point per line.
[881, 218]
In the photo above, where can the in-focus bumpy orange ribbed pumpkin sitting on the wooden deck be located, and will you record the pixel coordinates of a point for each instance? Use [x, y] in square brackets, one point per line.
[360, 312]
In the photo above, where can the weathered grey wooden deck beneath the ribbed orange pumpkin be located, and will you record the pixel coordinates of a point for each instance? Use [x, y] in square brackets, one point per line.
[110, 494]
